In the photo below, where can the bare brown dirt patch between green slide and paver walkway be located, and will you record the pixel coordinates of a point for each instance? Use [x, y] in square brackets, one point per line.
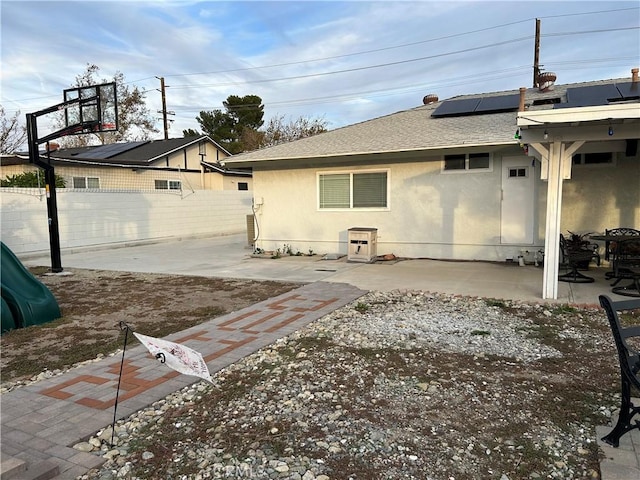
[94, 302]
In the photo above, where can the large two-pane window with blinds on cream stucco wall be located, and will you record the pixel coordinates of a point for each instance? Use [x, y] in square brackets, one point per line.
[353, 190]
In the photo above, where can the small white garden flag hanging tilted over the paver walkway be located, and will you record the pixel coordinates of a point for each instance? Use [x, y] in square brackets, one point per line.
[178, 357]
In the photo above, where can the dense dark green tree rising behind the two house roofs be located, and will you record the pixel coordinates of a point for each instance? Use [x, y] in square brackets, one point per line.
[241, 119]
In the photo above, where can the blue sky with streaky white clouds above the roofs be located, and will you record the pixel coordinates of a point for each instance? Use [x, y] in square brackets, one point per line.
[344, 62]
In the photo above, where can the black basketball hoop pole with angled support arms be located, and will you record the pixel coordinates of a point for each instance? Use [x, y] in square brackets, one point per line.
[49, 174]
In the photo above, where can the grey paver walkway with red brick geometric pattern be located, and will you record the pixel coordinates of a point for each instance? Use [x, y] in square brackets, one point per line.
[42, 421]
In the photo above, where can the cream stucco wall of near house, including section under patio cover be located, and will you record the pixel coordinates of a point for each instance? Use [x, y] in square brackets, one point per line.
[432, 214]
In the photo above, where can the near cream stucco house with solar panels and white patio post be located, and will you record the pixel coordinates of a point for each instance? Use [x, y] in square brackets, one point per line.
[467, 178]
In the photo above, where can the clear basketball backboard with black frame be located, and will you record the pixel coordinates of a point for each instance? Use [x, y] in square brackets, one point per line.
[95, 111]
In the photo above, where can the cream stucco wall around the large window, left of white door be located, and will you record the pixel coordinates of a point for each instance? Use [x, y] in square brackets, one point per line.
[430, 214]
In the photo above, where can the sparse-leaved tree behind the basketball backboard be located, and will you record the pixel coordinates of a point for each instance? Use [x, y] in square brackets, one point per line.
[134, 119]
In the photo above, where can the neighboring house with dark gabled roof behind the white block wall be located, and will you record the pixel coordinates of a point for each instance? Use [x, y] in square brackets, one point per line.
[191, 163]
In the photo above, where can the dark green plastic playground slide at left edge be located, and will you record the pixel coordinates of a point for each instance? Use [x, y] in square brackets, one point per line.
[28, 299]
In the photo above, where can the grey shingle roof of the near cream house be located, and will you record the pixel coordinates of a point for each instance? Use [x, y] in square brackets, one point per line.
[417, 129]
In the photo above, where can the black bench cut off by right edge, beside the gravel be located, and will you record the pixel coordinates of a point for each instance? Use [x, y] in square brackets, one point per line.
[629, 362]
